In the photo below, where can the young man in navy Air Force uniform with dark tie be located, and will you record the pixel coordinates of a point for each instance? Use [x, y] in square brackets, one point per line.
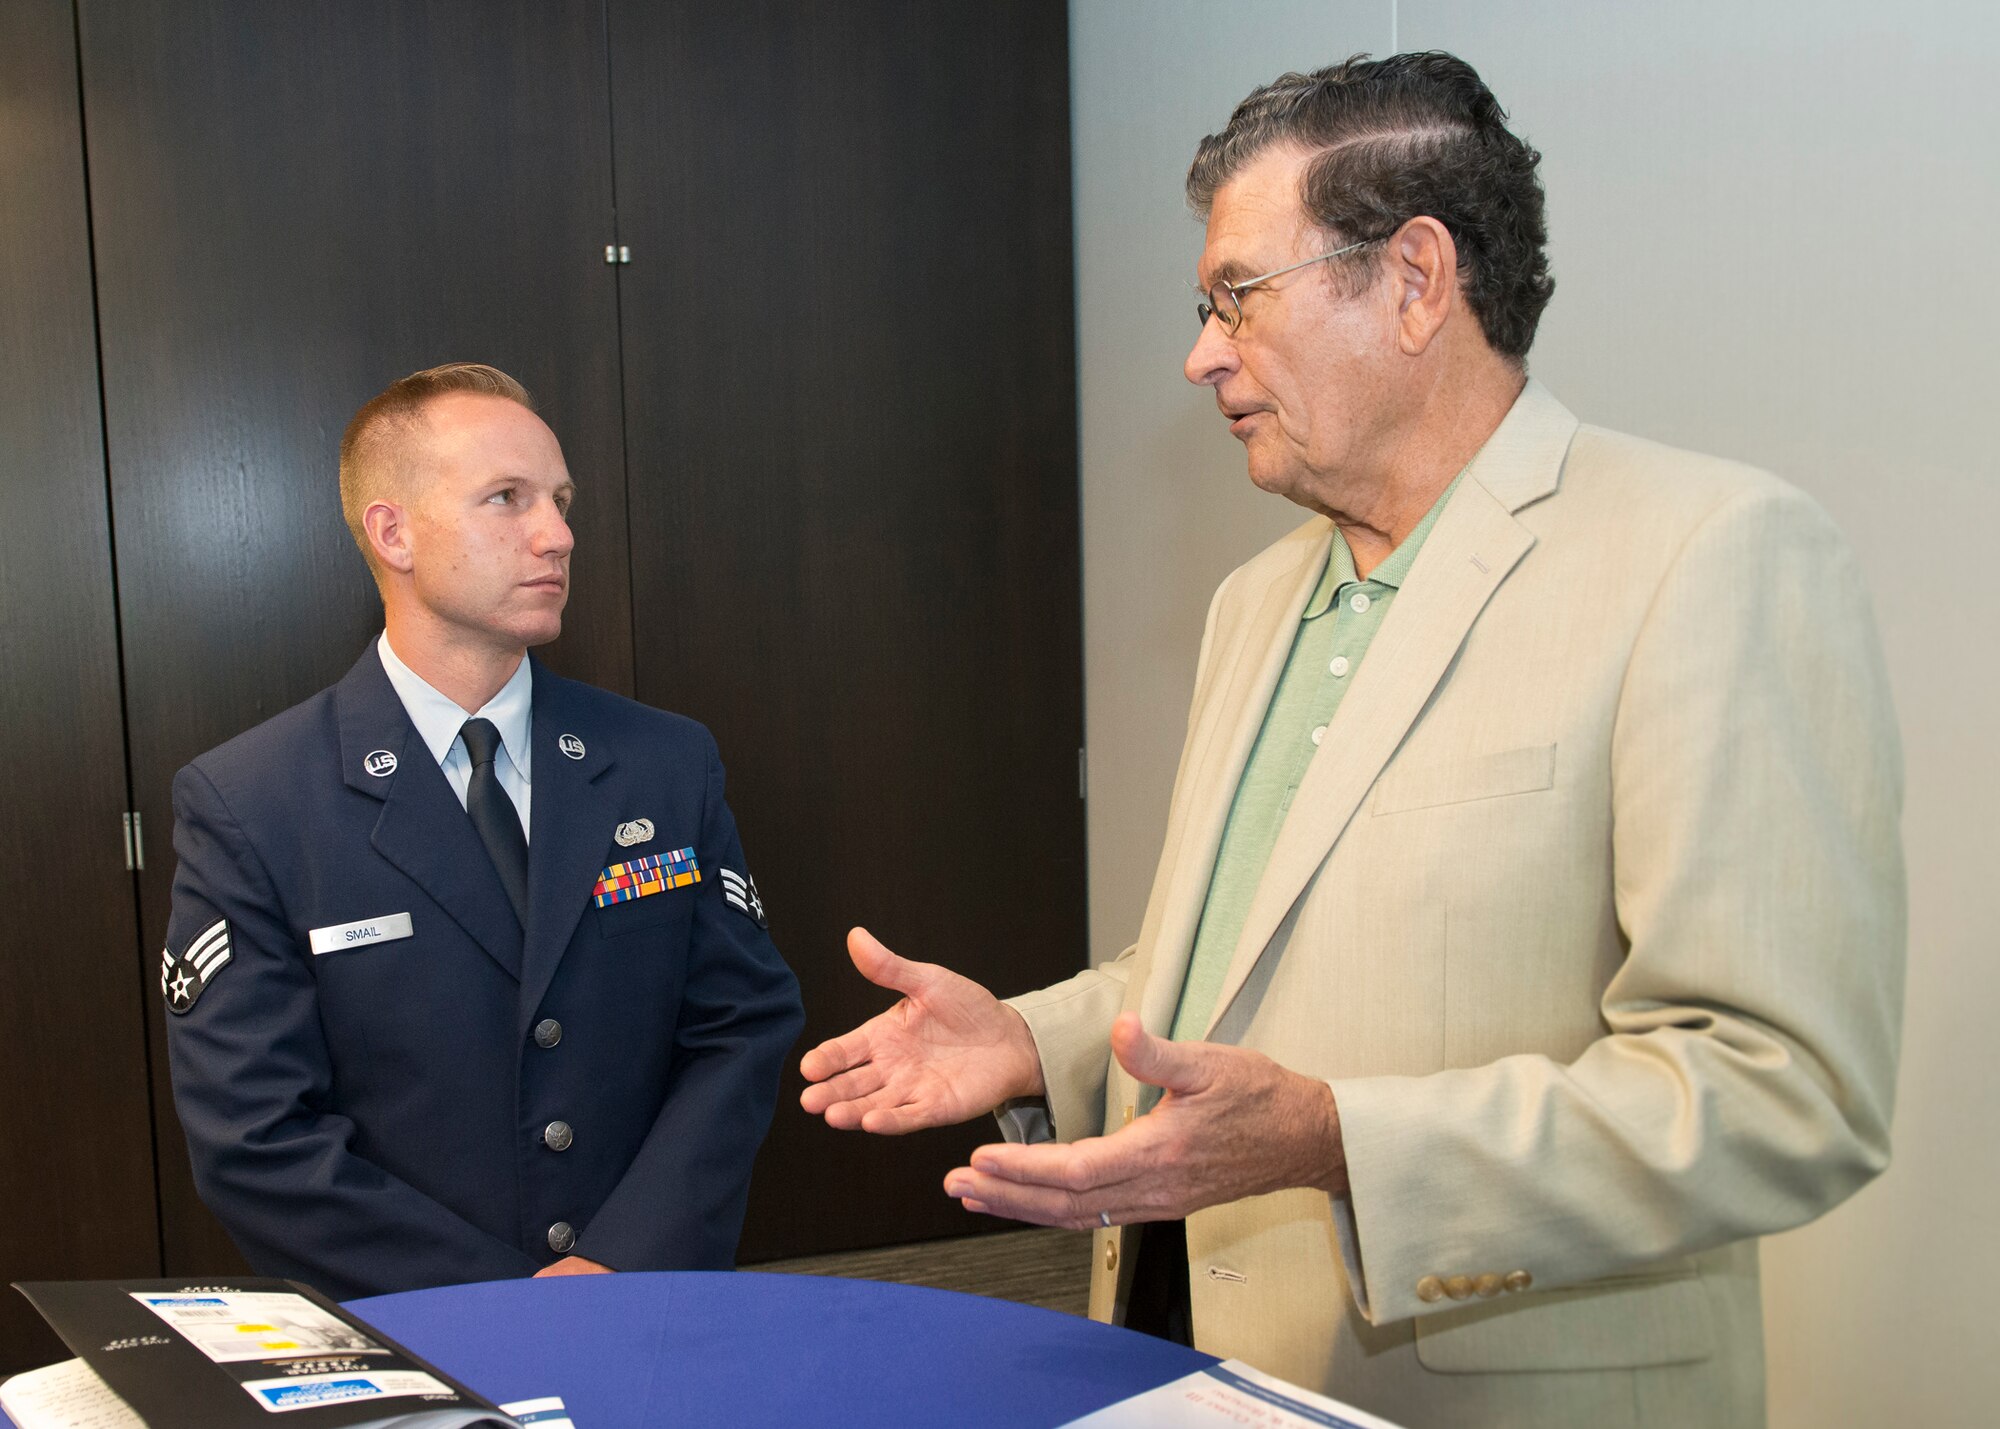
[467, 976]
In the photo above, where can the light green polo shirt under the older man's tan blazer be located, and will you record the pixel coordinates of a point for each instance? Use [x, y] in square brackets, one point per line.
[1327, 653]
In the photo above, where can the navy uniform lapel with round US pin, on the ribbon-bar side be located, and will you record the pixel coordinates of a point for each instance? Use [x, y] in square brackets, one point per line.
[573, 820]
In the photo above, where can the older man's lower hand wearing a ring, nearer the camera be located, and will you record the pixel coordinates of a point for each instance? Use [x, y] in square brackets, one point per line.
[1233, 1124]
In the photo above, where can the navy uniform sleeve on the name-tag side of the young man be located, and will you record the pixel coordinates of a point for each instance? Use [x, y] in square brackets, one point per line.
[253, 1086]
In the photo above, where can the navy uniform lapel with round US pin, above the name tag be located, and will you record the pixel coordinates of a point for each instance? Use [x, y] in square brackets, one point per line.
[423, 830]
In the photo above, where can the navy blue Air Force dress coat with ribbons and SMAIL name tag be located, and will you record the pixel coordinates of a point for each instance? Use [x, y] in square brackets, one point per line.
[387, 1082]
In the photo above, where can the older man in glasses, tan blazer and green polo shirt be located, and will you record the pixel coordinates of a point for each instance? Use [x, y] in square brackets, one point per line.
[1529, 928]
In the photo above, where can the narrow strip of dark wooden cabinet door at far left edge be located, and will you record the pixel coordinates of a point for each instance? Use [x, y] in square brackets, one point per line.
[77, 1152]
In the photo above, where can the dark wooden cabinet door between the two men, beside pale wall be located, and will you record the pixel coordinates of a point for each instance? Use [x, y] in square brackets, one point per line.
[851, 423]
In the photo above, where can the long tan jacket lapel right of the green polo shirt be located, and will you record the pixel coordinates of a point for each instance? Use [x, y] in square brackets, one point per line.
[1469, 553]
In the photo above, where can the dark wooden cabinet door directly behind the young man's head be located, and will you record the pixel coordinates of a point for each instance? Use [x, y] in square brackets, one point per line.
[293, 207]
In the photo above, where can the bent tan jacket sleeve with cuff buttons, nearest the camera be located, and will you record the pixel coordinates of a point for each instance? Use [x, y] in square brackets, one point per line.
[1749, 1064]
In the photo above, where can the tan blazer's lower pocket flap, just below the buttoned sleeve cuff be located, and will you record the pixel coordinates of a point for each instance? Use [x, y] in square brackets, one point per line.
[1617, 1326]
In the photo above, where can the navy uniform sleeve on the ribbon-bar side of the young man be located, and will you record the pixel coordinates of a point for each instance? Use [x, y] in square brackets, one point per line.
[681, 1204]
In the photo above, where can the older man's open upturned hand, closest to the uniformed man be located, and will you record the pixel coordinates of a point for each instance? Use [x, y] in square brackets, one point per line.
[945, 1054]
